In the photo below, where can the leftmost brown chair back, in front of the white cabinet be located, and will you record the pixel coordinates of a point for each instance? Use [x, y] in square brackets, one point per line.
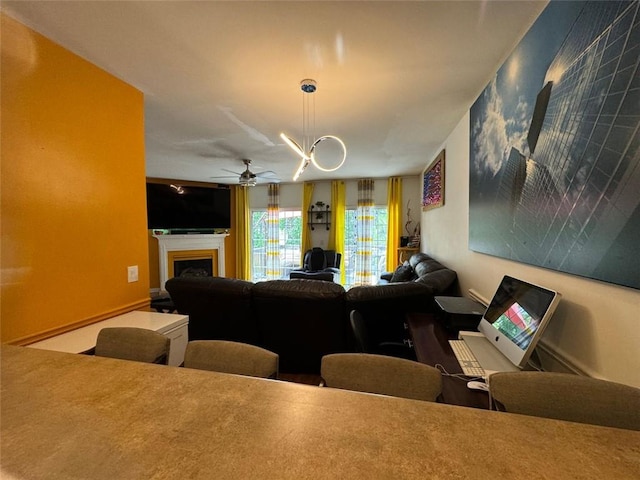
[131, 343]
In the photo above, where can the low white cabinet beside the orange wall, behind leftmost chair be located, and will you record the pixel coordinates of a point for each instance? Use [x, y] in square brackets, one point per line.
[83, 339]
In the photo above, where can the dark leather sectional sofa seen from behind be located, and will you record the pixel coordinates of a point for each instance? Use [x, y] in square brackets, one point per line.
[301, 320]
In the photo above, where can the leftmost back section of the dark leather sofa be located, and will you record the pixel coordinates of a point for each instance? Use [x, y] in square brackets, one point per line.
[218, 308]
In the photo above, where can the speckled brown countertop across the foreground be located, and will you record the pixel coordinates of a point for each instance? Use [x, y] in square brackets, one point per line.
[79, 417]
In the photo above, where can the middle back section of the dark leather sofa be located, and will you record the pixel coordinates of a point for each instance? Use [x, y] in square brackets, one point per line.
[300, 320]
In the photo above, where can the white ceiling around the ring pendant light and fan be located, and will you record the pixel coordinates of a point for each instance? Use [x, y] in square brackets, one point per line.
[221, 79]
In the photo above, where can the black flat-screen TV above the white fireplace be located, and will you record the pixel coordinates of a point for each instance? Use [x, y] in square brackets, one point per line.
[184, 208]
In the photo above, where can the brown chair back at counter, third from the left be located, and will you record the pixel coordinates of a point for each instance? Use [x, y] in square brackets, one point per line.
[381, 374]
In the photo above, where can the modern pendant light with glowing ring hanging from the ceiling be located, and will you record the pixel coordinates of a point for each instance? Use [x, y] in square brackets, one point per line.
[307, 151]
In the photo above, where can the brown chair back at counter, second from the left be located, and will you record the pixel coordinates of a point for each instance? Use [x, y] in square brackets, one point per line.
[231, 357]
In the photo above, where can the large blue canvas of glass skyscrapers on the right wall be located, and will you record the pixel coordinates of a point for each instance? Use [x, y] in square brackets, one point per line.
[554, 174]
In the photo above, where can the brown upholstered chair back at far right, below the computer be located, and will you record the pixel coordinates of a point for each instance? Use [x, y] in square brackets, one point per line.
[567, 397]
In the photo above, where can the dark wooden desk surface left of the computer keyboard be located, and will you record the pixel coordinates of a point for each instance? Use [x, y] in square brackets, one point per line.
[431, 343]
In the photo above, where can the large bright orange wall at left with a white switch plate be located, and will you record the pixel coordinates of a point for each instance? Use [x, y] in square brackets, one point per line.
[73, 211]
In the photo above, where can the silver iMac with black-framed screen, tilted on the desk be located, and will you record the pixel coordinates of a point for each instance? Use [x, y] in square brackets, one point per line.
[516, 318]
